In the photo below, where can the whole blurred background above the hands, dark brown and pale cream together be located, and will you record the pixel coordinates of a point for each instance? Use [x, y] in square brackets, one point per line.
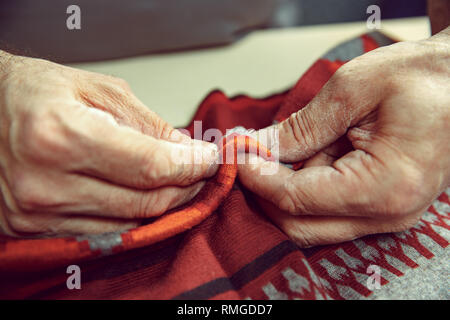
[174, 52]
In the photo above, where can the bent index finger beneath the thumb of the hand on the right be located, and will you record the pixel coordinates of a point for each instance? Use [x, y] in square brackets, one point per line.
[345, 189]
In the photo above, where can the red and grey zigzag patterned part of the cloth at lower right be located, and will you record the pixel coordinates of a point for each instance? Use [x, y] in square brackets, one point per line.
[342, 274]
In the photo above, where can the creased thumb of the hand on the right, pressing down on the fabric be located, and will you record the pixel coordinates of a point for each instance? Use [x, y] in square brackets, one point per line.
[341, 103]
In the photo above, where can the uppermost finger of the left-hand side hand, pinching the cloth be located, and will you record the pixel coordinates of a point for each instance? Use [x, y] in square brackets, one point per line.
[125, 156]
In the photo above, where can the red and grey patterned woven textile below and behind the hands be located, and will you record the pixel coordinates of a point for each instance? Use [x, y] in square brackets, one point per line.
[236, 253]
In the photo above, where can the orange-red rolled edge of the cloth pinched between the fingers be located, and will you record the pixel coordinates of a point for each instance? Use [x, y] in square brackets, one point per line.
[40, 254]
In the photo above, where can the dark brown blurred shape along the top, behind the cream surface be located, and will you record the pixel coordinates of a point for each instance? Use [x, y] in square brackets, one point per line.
[114, 29]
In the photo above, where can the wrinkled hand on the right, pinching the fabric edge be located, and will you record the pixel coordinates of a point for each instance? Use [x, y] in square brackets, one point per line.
[376, 144]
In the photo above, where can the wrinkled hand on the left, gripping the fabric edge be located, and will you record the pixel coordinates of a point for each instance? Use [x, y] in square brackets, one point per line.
[79, 153]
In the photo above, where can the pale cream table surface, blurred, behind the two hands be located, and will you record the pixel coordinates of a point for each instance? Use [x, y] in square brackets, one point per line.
[262, 63]
